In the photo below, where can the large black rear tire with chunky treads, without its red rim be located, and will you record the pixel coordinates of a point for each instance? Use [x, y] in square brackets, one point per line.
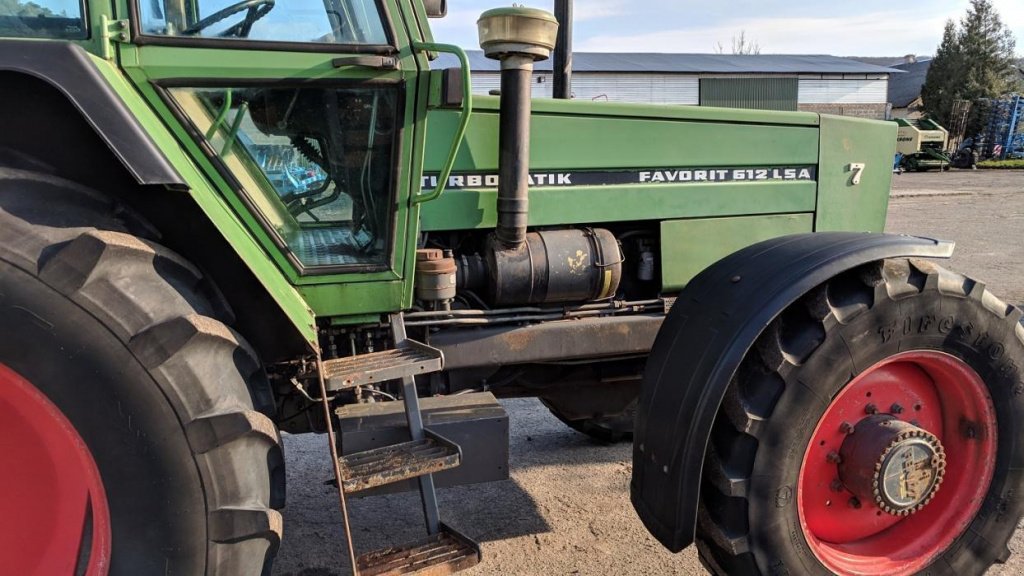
[129, 341]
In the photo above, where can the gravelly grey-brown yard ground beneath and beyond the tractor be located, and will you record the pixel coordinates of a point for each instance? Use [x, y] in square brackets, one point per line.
[567, 510]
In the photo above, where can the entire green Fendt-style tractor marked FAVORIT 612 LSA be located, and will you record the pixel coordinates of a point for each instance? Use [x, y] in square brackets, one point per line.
[222, 222]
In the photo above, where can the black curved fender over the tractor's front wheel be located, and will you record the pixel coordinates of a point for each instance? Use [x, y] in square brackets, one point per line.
[713, 324]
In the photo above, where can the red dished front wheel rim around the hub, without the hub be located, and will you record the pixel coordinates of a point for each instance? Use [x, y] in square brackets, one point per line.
[937, 393]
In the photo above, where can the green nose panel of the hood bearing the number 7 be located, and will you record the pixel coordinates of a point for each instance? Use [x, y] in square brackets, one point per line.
[843, 205]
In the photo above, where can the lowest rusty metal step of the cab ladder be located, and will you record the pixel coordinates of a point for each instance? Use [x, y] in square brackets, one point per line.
[445, 553]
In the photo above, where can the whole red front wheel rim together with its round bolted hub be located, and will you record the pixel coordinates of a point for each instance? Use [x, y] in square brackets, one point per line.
[899, 466]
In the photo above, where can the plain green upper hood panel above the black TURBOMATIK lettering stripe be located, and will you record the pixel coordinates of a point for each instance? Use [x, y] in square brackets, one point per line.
[584, 136]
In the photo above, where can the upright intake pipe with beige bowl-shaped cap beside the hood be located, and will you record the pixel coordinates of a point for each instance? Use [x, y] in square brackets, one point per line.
[519, 37]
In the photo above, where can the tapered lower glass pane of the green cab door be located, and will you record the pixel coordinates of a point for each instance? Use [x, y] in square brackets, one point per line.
[317, 164]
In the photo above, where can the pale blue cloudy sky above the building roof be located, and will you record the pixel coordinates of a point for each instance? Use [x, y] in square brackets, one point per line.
[865, 28]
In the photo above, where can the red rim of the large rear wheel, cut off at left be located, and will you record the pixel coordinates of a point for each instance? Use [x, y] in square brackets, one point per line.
[56, 515]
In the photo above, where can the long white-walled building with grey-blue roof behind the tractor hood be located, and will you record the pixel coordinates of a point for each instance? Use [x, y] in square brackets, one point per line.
[816, 84]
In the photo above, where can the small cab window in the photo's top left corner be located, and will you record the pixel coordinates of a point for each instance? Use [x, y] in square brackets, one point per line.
[44, 19]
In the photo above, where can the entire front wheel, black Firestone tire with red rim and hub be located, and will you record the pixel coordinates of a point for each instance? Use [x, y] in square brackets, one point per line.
[904, 344]
